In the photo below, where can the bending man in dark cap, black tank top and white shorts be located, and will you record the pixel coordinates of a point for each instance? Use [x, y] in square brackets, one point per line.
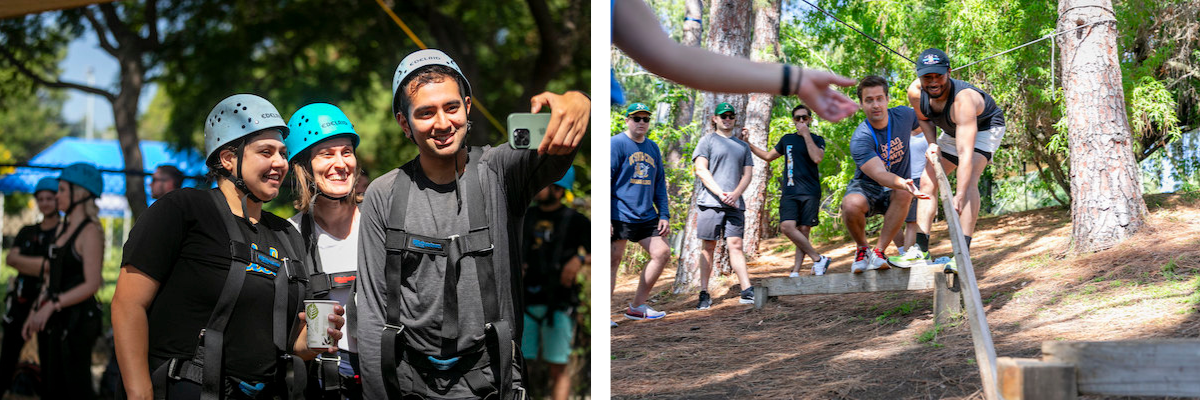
[973, 128]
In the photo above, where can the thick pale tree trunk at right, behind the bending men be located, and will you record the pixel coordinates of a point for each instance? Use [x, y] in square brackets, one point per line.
[1107, 206]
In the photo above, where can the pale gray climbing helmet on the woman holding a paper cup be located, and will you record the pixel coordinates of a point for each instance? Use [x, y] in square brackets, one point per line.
[237, 117]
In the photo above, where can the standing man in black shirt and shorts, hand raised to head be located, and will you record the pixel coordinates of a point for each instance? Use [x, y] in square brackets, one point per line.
[800, 184]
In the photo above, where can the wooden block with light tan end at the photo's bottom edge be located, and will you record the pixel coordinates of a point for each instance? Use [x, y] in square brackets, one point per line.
[1029, 379]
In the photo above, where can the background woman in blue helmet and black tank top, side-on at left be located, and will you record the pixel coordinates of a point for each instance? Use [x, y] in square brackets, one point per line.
[67, 318]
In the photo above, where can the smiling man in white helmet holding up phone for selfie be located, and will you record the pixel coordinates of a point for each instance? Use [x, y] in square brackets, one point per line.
[440, 282]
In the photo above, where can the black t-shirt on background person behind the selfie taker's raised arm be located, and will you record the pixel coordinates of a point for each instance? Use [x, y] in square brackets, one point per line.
[543, 278]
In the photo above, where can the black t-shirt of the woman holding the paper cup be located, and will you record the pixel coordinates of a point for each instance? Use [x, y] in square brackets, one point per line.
[182, 242]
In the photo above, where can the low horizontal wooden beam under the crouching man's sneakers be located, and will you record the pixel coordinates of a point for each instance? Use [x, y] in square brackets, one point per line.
[889, 280]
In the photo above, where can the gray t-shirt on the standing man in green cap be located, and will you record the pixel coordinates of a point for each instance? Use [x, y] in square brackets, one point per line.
[728, 157]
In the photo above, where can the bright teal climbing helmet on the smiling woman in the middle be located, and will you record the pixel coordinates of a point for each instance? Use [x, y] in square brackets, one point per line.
[316, 123]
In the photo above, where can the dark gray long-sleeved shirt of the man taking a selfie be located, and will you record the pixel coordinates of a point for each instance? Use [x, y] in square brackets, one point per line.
[511, 180]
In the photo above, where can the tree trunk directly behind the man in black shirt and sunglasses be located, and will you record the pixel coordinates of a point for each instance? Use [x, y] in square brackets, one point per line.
[765, 49]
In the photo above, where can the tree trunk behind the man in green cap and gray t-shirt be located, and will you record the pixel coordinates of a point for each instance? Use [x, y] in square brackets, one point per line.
[730, 35]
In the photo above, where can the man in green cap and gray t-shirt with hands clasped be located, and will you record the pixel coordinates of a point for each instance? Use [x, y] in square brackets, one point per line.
[724, 165]
